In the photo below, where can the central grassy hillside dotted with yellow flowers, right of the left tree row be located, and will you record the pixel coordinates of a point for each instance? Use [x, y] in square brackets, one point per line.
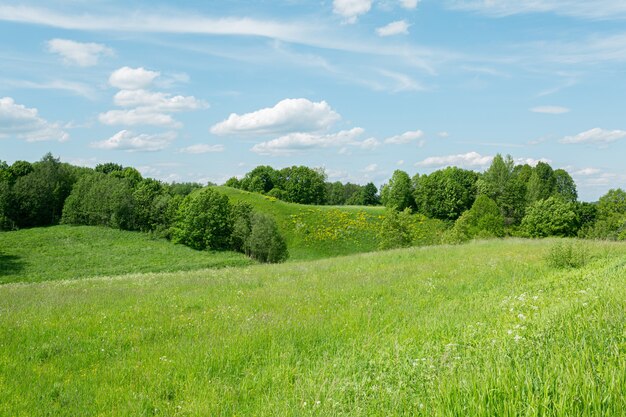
[314, 232]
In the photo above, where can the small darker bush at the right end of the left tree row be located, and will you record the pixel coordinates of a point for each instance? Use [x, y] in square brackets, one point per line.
[265, 242]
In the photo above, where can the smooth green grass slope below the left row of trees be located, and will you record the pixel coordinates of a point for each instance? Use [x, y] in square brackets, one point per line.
[69, 252]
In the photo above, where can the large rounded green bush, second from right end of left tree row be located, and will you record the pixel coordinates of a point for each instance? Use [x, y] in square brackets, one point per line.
[204, 221]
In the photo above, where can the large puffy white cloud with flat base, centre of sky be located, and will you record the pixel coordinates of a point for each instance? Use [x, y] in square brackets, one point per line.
[288, 116]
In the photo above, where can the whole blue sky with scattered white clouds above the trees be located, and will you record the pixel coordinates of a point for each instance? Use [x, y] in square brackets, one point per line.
[206, 90]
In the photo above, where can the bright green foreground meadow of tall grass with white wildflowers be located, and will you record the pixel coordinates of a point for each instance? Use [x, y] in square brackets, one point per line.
[483, 329]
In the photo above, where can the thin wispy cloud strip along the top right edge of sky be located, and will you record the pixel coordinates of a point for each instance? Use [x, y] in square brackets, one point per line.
[597, 9]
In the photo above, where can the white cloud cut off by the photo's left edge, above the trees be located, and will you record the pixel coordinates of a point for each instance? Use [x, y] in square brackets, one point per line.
[22, 122]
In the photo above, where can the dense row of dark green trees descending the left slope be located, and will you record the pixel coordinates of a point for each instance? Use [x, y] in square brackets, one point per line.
[49, 192]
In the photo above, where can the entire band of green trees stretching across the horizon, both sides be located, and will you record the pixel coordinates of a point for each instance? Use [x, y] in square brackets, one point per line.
[506, 199]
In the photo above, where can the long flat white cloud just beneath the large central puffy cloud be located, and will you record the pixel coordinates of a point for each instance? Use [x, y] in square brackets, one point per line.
[300, 141]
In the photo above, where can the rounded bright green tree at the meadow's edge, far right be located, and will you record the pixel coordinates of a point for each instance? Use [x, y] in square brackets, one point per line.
[551, 217]
